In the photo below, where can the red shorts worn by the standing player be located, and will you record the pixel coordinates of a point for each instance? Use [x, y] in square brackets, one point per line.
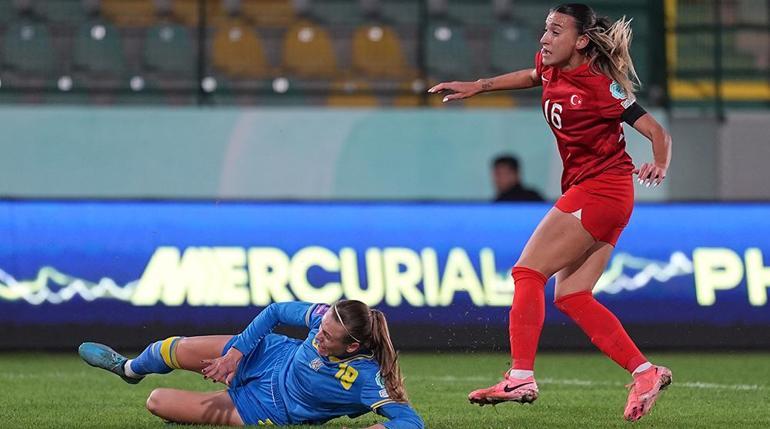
[603, 204]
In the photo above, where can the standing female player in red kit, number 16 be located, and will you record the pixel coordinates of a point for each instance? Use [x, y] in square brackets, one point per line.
[585, 69]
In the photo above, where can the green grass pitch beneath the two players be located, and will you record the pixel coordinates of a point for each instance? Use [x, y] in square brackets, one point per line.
[576, 390]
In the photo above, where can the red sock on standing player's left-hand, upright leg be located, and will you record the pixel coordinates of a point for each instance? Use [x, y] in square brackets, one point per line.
[526, 316]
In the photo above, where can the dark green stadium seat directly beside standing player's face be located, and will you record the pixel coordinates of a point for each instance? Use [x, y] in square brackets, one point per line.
[512, 47]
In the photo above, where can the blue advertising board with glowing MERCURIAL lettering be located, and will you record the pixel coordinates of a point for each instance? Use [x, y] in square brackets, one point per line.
[205, 263]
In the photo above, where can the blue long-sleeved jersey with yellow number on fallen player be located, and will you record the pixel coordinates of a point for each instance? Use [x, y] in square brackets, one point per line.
[314, 388]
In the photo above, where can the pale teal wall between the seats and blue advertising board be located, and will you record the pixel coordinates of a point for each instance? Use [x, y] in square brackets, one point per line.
[293, 153]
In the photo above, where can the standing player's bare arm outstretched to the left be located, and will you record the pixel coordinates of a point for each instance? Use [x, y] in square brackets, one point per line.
[521, 79]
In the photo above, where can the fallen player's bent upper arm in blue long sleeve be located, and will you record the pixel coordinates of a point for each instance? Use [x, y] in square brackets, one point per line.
[284, 313]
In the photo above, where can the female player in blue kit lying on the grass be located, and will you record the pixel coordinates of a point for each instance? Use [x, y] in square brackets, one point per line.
[346, 366]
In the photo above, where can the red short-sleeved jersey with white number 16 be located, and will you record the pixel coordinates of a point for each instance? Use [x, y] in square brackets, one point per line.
[583, 109]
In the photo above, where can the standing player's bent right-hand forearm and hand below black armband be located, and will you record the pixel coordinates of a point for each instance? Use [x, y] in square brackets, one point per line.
[653, 173]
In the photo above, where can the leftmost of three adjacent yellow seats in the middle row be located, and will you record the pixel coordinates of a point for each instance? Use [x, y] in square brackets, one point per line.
[238, 51]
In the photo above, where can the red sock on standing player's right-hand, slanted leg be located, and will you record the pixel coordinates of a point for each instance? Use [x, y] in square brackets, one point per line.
[602, 327]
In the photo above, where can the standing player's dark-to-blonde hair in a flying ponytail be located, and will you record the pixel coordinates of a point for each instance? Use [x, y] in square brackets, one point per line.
[609, 44]
